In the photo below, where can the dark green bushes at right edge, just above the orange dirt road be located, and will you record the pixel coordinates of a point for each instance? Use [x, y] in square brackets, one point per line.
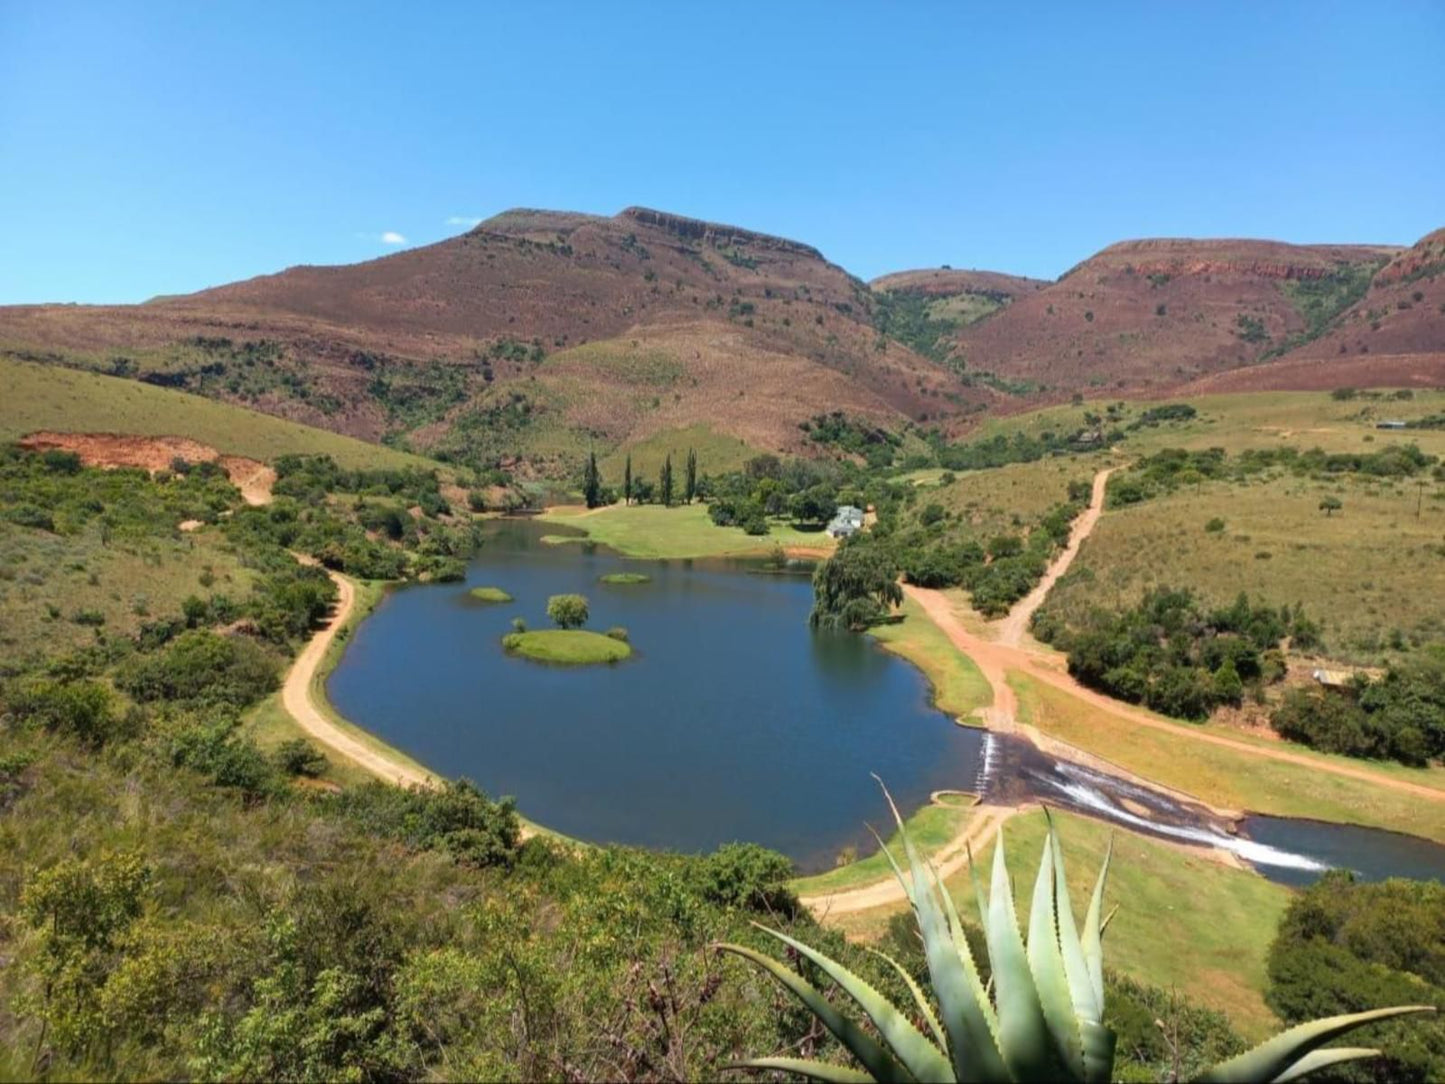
[1399, 718]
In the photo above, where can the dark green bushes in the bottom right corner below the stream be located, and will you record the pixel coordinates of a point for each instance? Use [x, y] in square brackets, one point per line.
[1345, 946]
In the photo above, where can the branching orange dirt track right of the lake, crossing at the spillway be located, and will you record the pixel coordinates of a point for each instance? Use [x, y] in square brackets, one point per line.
[996, 658]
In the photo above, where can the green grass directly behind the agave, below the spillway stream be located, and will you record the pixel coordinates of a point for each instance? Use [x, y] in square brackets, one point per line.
[1184, 920]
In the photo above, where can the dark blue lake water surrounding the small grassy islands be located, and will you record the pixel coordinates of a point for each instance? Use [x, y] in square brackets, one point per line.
[732, 720]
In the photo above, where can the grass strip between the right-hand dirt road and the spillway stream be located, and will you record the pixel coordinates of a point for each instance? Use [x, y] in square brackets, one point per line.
[1233, 778]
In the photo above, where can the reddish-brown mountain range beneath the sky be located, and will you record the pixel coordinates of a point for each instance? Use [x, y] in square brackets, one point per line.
[541, 333]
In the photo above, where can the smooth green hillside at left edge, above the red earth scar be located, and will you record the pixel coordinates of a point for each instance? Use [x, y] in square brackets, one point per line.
[73, 401]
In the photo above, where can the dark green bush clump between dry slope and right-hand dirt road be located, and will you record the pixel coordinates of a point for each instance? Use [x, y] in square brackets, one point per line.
[1178, 658]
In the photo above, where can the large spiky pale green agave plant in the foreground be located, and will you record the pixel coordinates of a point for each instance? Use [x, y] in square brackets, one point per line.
[1044, 1017]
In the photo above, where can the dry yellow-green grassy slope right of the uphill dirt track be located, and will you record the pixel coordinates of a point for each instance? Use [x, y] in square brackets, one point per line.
[1365, 572]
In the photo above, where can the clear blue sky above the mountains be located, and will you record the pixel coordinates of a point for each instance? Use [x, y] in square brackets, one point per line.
[164, 148]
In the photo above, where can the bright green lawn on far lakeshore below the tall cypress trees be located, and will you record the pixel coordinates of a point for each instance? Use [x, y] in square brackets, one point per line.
[651, 531]
